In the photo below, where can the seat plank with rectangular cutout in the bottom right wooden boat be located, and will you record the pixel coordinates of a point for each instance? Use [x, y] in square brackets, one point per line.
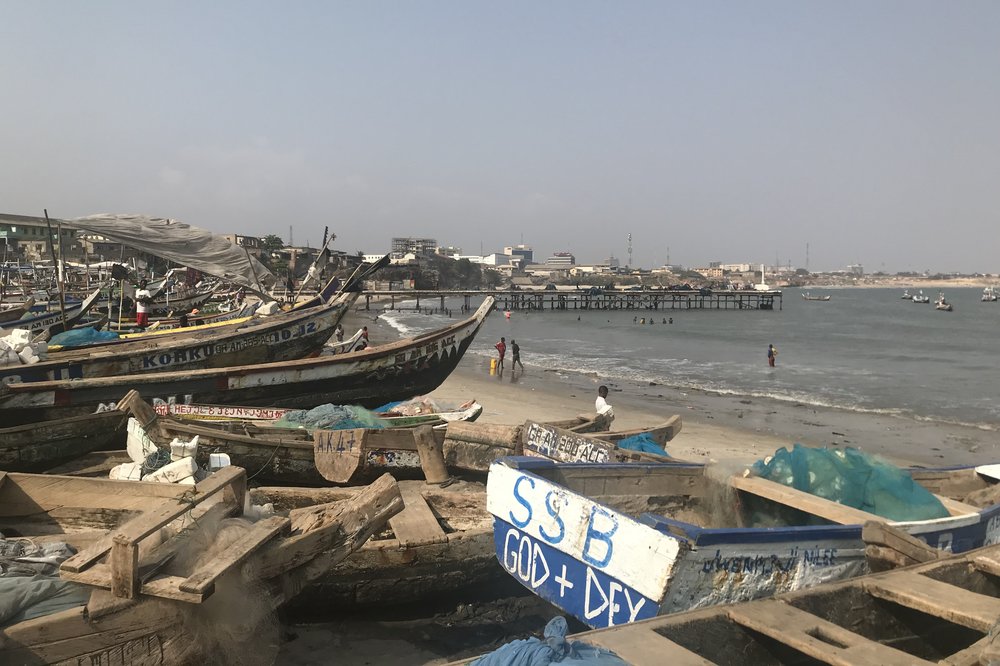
[816, 637]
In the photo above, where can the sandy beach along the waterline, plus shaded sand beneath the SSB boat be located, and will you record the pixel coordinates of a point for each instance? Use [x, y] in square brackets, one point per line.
[718, 429]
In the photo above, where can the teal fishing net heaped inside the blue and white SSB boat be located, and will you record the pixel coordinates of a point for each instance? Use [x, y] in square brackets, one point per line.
[852, 478]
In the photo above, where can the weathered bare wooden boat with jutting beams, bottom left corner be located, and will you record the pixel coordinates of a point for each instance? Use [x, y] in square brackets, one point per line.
[181, 581]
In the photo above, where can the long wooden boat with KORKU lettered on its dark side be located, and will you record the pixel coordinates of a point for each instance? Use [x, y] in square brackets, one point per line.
[283, 336]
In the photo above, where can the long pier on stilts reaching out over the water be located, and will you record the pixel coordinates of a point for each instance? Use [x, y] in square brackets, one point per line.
[582, 299]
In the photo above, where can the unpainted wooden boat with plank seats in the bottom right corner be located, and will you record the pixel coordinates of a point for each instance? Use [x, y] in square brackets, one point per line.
[941, 612]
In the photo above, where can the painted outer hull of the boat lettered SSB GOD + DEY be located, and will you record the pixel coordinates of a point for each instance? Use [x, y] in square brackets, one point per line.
[607, 569]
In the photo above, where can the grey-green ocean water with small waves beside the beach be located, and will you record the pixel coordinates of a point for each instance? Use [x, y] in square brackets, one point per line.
[865, 350]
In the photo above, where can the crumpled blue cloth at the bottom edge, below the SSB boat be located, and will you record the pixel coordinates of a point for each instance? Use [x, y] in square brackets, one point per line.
[553, 649]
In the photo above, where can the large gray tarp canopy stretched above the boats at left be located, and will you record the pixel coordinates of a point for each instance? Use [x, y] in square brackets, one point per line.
[180, 243]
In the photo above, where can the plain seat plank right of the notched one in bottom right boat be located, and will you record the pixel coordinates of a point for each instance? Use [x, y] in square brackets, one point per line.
[933, 597]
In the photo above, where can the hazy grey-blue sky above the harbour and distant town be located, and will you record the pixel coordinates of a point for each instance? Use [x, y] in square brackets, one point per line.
[735, 131]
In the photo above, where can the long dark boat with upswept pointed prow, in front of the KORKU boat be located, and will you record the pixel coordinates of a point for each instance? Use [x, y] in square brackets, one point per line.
[370, 378]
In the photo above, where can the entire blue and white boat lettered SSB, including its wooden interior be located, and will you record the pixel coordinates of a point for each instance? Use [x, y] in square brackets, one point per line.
[616, 543]
